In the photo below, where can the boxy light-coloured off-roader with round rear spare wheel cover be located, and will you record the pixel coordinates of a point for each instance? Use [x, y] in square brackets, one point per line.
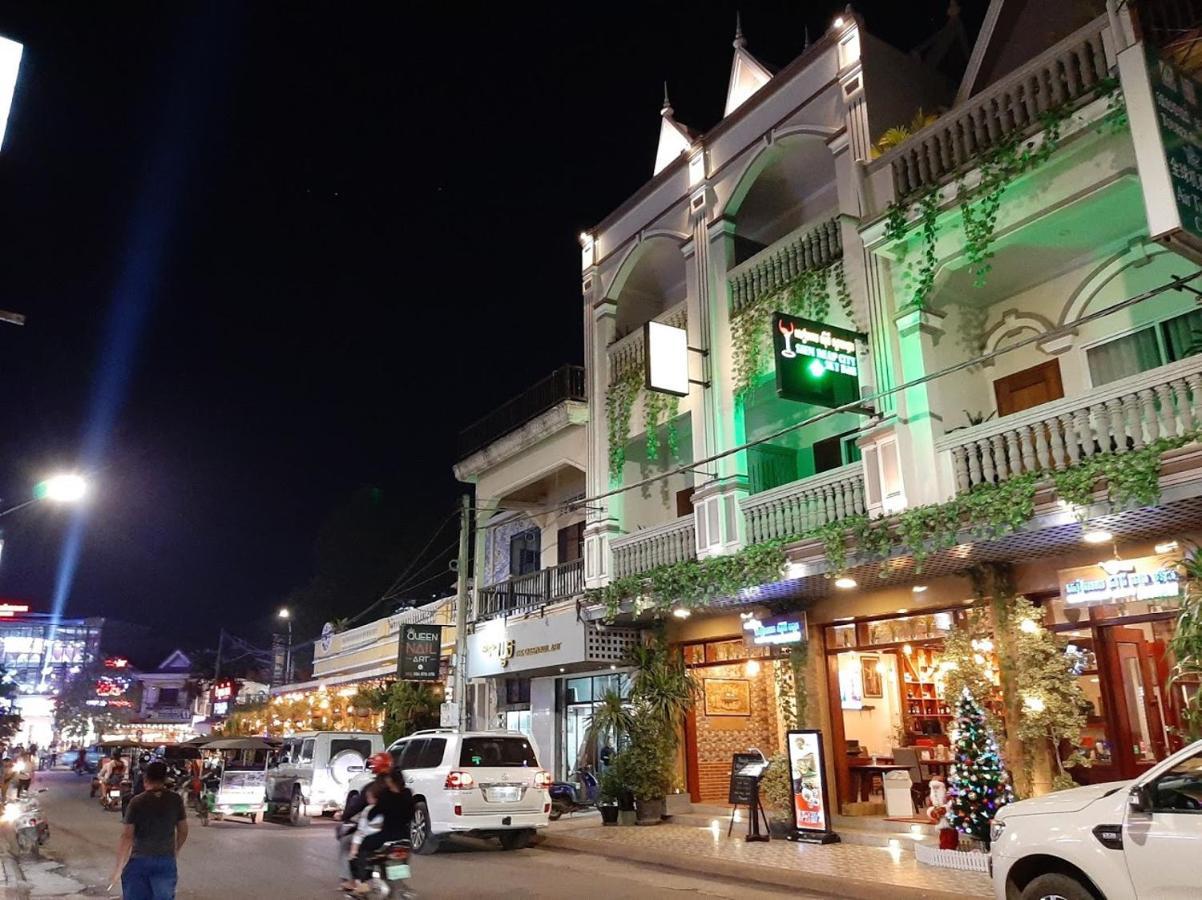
[314, 773]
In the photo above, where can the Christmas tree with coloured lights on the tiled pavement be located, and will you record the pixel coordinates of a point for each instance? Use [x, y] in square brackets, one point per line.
[979, 785]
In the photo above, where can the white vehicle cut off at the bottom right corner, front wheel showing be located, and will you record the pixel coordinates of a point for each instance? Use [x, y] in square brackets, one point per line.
[1118, 841]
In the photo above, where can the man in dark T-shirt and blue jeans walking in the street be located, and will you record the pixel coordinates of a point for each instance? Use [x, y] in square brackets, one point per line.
[156, 831]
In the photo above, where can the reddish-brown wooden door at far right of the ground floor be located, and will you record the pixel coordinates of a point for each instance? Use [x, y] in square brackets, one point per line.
[1135, 699]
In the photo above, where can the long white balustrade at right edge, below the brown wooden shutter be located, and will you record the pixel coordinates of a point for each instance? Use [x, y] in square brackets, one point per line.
[1118, 418]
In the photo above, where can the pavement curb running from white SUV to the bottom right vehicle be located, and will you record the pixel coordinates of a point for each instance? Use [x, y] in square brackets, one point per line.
[796, 879]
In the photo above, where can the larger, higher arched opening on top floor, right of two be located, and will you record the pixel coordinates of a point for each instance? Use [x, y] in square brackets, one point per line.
[789, 184]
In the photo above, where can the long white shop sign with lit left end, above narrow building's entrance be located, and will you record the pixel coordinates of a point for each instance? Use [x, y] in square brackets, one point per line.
[502, 646]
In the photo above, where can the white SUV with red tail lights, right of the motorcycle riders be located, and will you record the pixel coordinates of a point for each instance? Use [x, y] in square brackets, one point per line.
[486, 784]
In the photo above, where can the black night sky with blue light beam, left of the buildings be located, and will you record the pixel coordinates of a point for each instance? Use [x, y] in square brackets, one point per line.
[307, 202]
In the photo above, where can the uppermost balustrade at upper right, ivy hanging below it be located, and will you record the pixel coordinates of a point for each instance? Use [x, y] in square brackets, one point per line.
[1067, 73]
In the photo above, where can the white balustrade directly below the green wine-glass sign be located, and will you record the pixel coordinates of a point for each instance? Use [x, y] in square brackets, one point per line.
[805, 505]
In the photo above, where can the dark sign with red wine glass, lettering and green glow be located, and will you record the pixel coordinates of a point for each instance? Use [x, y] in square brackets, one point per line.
[816, 363]
